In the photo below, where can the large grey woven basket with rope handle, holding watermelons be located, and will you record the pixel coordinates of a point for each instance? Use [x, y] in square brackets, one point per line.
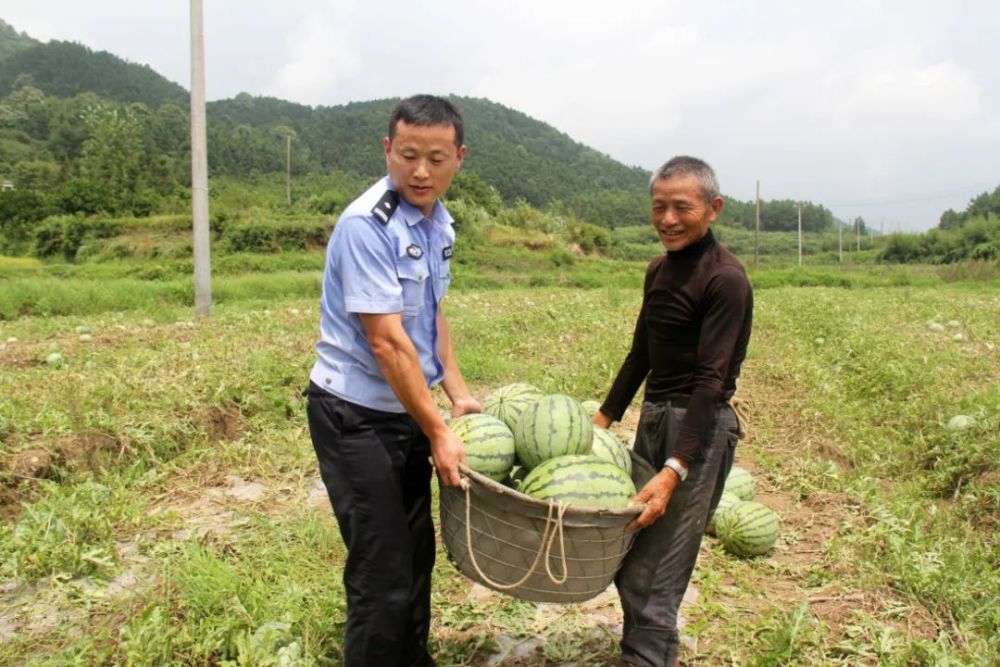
[530, 549]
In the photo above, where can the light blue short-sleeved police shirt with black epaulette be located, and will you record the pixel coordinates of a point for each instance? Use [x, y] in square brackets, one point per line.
[400, 265]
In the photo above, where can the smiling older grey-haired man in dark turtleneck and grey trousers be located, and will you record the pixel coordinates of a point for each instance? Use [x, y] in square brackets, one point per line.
[690, 340]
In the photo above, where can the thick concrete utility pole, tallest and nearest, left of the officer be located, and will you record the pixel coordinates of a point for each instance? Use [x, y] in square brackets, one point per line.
[199, 168]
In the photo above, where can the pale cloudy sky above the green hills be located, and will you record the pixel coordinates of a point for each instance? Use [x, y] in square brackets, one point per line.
[885, 110]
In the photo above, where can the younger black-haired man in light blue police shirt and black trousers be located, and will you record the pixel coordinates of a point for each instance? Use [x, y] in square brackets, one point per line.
[383, 343]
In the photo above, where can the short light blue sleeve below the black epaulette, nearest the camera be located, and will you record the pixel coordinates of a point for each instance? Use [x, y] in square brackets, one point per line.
[365, 260]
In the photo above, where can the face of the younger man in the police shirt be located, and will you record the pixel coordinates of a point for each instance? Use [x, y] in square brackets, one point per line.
[422, 160]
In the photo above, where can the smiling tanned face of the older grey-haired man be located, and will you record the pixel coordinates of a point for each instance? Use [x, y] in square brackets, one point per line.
[679, 212]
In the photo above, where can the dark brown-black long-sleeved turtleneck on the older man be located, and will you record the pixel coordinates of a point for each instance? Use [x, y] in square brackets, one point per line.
[690, 338]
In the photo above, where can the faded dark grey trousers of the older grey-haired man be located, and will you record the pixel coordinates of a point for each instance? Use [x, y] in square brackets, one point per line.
[656, 571]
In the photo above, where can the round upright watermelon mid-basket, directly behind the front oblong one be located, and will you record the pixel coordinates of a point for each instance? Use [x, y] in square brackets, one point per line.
[554, 425]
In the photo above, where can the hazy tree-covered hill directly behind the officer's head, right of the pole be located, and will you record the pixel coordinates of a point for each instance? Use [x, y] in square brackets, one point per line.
[520, 156]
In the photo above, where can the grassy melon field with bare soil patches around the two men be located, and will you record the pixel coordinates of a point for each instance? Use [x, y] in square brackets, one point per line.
[161, 503]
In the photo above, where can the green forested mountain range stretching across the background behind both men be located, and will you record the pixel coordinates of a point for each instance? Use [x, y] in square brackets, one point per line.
[85, 131]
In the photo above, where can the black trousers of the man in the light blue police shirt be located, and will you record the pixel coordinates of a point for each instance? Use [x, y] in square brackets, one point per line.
[376, 471]
